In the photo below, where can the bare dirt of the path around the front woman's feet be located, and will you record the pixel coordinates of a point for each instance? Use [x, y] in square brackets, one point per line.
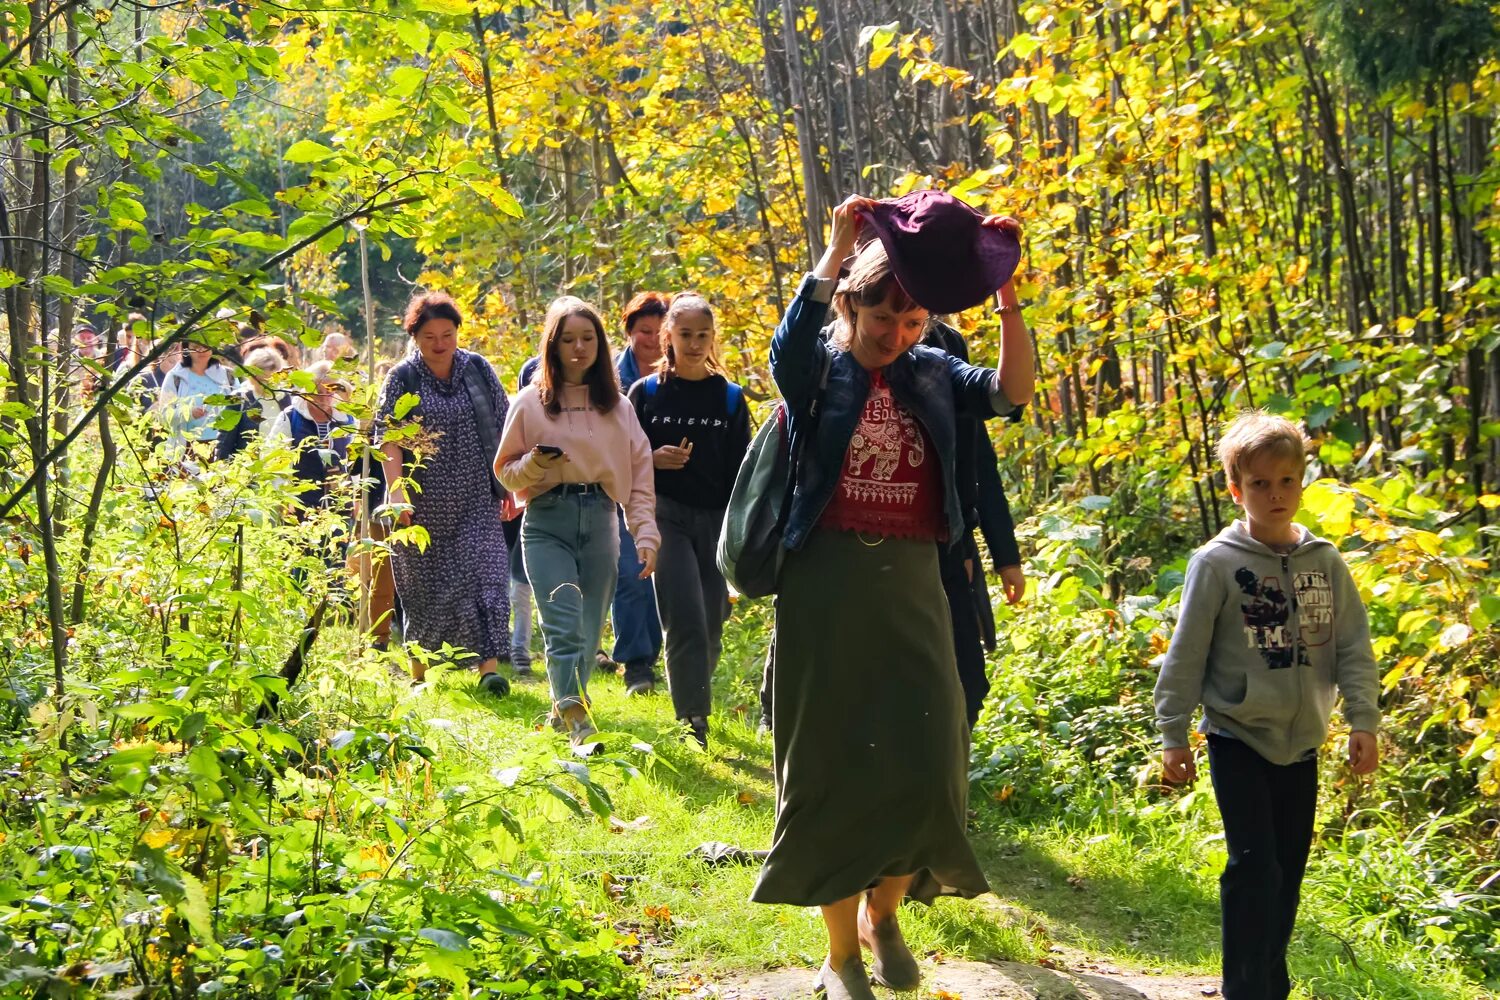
[958, 980]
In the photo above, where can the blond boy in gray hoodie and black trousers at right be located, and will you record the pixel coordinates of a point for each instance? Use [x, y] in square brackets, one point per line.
[1271, 627]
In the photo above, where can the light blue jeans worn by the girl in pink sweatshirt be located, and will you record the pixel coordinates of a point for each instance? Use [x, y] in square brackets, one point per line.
[571, 545]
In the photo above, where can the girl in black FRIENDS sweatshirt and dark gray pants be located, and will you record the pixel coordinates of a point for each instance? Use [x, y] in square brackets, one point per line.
[700, 428]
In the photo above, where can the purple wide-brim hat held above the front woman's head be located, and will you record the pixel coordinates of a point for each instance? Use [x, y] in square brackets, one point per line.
[940, 253]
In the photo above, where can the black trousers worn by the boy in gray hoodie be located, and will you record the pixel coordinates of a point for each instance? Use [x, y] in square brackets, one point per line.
[1268, 824]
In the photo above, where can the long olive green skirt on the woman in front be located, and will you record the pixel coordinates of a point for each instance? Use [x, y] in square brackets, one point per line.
[872, 750]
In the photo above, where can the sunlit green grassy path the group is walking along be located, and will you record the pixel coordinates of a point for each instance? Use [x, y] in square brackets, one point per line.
[1081, 912]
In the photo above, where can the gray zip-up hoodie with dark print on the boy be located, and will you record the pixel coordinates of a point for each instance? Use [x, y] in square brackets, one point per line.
[1262, 642]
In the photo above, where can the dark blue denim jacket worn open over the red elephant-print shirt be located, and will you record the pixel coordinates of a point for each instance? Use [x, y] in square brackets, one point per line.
[932, 386]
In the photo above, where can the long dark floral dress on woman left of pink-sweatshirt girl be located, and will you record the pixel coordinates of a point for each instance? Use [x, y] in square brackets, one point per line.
[457, 591]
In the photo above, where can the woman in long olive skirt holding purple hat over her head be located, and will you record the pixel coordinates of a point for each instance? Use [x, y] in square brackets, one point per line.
[871, 734]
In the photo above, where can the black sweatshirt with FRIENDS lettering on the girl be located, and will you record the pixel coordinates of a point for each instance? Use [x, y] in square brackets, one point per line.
[700, 412]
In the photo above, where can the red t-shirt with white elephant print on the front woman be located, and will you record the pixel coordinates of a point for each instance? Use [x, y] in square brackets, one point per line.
[890, 484]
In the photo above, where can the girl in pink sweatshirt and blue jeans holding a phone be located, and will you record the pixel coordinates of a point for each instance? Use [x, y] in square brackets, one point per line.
[572, 449]
